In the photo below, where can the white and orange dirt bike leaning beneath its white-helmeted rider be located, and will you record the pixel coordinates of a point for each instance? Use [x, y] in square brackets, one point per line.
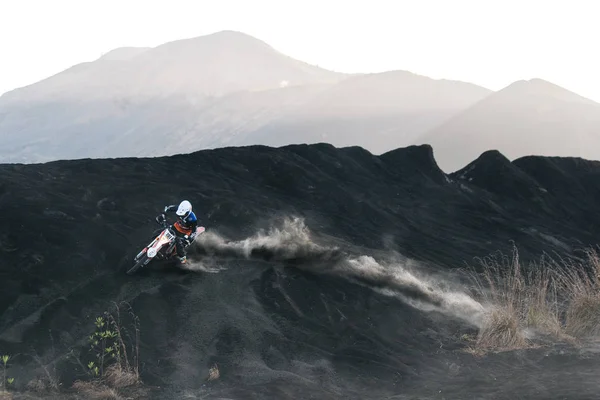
[161, 248]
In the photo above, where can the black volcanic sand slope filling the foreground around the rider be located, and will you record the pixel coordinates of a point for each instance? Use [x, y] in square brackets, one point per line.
[296, 316]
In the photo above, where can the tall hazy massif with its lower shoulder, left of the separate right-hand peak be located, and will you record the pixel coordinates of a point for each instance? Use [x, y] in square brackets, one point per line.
[223, 89]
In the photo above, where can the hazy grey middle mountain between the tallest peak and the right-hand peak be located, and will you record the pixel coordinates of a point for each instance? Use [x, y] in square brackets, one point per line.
[379, 112]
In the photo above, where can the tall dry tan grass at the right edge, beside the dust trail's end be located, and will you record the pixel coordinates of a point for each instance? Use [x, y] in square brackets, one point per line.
[561, 300]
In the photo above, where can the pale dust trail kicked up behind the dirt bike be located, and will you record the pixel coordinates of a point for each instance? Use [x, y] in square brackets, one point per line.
[291, 243]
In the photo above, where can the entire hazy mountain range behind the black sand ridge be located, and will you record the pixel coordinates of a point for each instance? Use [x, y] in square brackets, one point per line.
[230, 89]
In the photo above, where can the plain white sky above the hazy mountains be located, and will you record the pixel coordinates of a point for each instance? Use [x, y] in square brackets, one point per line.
[488, 42]
